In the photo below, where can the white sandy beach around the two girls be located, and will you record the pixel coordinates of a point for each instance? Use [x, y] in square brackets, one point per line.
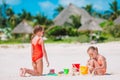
[60, 56]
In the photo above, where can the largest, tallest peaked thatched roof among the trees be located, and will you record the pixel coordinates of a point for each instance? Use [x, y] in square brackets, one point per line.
[64, 16]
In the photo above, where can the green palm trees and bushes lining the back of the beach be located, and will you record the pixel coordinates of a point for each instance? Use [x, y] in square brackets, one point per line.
[66, 33]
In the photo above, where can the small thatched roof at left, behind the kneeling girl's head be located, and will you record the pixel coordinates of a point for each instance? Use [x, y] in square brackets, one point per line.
[23, 28]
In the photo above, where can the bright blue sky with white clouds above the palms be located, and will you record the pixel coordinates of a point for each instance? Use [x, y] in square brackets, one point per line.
[47, 7]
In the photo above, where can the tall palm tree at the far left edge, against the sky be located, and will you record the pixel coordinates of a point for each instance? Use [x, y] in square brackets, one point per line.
[7, 16]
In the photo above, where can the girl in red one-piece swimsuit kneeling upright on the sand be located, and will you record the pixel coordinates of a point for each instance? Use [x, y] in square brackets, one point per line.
[38, 51]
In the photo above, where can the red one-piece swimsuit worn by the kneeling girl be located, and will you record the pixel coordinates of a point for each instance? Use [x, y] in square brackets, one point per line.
[37, 51]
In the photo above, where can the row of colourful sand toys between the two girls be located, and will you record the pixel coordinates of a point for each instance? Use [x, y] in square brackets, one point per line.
[74, 71]
